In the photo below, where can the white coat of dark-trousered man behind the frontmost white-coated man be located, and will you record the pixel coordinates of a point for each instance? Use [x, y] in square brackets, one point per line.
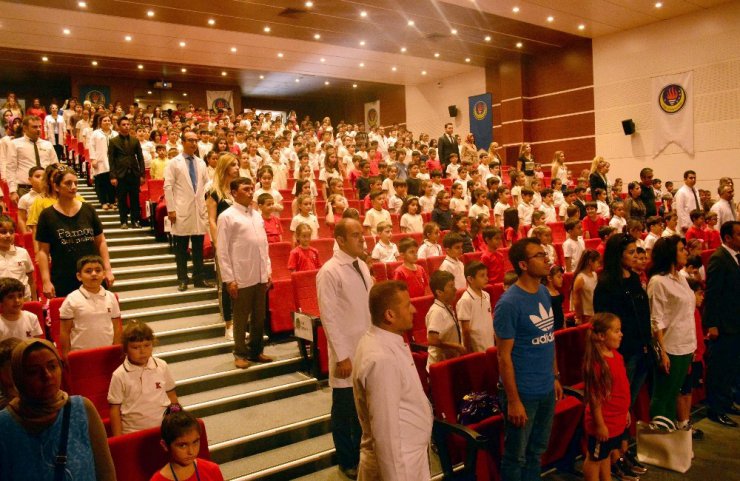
[345, 314]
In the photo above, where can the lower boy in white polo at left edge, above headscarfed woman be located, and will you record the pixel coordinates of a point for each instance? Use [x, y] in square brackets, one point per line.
[14, 321]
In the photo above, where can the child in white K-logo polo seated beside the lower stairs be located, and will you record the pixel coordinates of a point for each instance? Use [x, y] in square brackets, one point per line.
[142, 387]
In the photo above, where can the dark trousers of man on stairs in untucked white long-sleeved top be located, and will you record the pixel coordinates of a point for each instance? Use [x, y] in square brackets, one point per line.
[249, 308]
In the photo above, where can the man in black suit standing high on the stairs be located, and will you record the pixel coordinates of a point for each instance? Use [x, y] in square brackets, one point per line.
[126, 172]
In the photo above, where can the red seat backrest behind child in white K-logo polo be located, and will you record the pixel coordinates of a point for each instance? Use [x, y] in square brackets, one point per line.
[90, 374]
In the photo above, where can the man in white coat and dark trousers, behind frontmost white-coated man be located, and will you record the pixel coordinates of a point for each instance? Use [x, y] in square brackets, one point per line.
[343, 286]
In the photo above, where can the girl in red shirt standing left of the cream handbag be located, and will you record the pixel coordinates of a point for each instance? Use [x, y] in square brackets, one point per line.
[607, 394]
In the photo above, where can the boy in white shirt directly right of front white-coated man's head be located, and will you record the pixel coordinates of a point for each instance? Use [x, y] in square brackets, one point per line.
[443, 329]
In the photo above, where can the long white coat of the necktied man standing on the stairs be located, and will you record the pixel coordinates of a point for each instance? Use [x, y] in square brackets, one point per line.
[189, 206]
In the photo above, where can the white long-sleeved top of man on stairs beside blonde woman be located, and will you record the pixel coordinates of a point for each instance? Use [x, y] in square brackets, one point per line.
[242, 247]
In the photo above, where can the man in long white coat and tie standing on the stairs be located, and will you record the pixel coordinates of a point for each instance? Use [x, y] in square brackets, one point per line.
[185, 179]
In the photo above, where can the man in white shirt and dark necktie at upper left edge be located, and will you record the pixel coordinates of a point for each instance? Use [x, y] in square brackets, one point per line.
[26, 152]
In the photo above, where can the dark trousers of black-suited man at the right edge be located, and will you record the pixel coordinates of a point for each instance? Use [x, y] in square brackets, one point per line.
[723, 368]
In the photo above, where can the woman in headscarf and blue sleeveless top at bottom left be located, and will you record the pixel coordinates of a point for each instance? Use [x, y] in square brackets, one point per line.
[32, 424]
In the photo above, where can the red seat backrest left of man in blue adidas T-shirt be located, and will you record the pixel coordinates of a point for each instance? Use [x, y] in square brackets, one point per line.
[454, 378]
